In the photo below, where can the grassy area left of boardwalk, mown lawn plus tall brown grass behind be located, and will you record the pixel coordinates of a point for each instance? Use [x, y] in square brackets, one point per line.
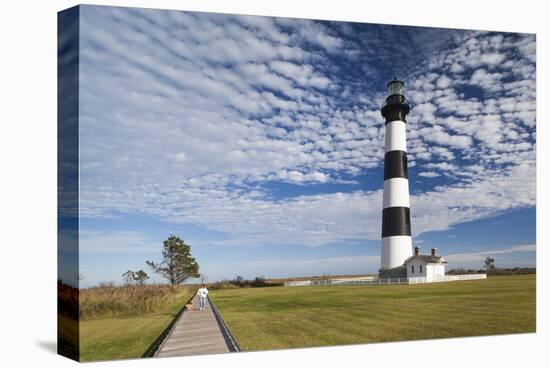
[114, 331]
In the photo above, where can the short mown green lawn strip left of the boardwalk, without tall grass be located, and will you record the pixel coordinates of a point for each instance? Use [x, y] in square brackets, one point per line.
[125, 337]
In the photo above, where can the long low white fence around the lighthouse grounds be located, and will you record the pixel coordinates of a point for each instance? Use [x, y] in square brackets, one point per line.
[383, 281]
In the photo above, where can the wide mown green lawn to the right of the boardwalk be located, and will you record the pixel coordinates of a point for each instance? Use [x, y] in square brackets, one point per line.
[292, 317]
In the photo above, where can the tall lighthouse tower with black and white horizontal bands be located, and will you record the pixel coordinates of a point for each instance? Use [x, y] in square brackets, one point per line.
[396, 220]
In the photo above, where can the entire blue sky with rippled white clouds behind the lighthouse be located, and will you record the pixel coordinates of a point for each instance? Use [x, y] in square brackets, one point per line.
[260, 142]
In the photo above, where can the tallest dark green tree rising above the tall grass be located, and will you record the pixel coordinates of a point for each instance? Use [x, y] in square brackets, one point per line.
[177, 265]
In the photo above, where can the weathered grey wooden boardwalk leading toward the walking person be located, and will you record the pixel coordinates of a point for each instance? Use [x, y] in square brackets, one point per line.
[196, 332]
